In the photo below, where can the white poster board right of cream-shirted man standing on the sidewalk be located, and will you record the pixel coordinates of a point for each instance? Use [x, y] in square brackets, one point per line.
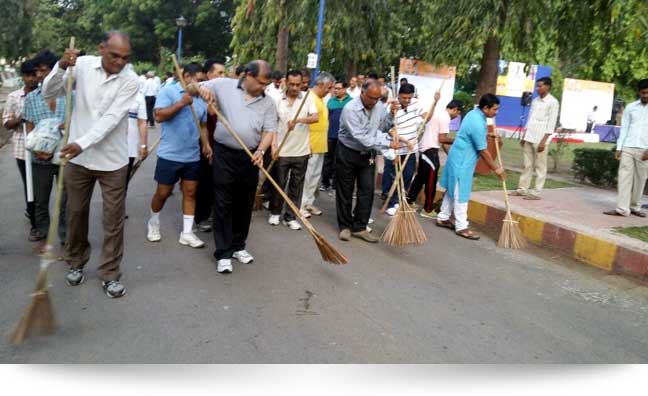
[578, 99]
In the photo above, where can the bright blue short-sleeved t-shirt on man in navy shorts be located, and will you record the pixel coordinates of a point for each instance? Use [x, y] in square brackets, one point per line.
[180, 136]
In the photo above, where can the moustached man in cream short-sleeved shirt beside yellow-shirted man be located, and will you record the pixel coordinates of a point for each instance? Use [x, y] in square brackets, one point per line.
[292, 161]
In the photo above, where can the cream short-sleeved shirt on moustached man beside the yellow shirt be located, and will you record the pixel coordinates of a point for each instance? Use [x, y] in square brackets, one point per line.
[298, 142]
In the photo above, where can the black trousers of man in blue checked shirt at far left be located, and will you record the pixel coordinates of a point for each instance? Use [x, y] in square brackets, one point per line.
[44, 176]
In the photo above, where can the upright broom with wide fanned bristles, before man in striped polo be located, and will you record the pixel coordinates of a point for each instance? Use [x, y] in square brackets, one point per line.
[404, 228]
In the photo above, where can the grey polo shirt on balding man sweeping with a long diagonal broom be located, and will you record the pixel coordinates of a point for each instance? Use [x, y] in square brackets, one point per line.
[248, 118]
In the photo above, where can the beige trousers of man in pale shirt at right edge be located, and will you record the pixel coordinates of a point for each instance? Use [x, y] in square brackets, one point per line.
[632, 180]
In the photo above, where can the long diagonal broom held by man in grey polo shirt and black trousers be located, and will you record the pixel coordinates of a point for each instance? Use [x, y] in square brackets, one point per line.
[328, 252]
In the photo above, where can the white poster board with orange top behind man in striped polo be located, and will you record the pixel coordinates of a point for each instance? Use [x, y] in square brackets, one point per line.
[427, 79]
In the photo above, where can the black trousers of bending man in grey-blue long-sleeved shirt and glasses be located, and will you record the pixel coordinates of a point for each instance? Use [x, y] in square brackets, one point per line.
[353, 168]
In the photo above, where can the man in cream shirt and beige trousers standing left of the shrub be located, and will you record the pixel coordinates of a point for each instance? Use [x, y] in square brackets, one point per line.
[543, 117]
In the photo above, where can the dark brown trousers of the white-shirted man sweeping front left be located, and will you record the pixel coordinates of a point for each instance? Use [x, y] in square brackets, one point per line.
[79, 184]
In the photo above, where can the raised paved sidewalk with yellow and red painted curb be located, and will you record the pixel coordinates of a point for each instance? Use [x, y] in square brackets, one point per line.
[571, 221]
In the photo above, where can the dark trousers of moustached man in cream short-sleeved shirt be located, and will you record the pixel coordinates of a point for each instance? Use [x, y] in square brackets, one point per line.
[290, 170]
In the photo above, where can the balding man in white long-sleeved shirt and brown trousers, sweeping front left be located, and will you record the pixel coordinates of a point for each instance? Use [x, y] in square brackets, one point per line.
[97, 150]
